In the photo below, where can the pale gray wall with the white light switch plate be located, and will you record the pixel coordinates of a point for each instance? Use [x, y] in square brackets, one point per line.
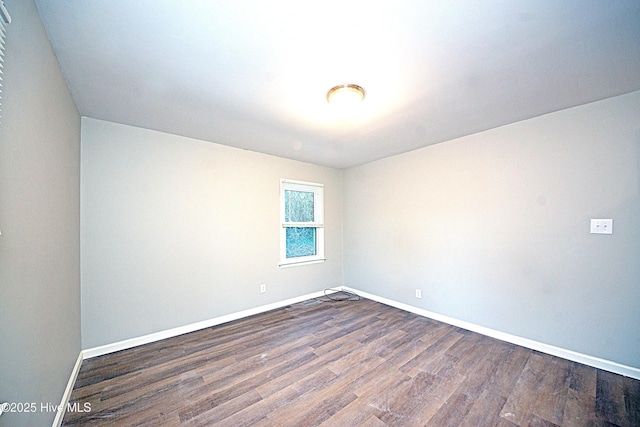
[494, 229]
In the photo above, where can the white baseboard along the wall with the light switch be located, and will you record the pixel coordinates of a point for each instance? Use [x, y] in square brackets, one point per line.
[596, 362]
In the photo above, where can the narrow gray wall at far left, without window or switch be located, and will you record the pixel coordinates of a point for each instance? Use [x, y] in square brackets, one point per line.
[40, 222]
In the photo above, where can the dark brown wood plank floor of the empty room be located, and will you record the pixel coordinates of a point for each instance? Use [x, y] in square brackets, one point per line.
[346, 364]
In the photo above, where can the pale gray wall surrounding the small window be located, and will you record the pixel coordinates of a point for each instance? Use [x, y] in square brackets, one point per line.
[177, 231]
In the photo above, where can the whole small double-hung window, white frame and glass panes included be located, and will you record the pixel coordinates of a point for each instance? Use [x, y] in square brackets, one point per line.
[302, 223]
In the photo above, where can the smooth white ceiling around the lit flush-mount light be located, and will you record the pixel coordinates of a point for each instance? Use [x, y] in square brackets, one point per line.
[254, 74]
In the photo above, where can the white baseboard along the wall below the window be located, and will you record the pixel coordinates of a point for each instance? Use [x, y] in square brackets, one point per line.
[169, 333]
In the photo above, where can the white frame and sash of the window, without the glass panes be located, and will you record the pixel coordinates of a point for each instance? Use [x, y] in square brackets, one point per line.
[317, 223]
